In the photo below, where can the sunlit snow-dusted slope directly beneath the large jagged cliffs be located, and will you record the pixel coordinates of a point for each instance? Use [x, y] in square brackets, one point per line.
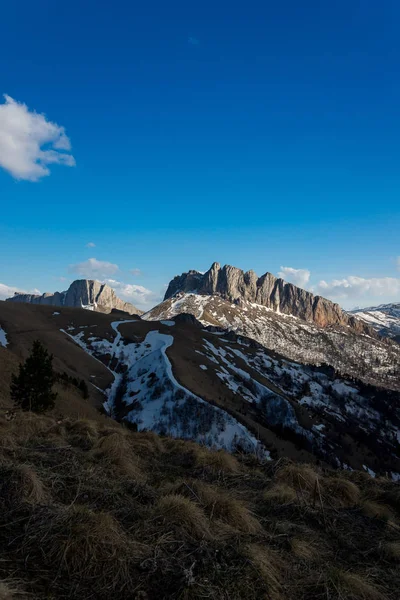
[372, 359]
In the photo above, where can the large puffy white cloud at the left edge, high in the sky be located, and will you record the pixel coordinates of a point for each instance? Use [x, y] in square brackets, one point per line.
[23, 134]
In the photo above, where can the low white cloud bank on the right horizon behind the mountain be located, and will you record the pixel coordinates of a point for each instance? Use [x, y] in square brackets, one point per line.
[353, 288]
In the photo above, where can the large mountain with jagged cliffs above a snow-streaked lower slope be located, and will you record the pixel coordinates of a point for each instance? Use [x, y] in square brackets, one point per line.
[285, 319]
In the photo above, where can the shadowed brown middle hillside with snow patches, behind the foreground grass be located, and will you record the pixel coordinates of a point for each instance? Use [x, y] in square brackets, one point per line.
[220, 389]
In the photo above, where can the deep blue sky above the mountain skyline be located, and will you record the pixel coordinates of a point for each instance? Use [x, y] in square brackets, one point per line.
[259, 134]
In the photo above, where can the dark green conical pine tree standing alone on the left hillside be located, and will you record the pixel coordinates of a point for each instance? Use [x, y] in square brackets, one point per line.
[31, 389]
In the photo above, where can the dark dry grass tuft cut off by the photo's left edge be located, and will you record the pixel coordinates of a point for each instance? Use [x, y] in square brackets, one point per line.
[18, 484]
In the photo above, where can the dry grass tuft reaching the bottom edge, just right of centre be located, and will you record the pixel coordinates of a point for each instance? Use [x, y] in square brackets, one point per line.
[269, 566]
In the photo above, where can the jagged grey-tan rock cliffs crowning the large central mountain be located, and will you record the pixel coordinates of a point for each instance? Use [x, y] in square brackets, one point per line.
[235, 285]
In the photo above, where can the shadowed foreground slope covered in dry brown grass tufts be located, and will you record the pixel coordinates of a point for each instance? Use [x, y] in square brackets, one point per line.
[88, 511]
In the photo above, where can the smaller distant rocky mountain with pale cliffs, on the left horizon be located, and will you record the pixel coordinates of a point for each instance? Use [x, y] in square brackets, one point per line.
[82, 293]
